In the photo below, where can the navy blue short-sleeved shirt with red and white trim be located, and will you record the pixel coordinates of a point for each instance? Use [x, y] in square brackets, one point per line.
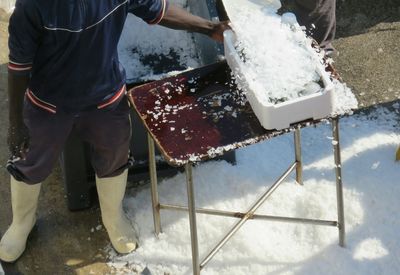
[69, 48]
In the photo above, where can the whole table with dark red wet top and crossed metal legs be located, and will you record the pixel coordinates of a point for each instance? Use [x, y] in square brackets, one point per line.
[200, 114]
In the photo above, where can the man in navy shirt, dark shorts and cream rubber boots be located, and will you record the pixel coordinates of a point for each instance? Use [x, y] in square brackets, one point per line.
[64, 73]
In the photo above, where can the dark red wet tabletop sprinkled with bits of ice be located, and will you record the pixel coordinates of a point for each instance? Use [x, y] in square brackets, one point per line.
[198, 115]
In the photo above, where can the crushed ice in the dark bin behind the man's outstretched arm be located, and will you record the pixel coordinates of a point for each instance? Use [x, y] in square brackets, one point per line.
[141, 42]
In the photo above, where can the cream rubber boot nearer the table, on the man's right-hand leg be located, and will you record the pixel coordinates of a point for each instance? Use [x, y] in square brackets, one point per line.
[111, 193]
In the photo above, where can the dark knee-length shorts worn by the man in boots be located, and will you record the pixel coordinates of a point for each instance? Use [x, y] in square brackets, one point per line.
[107, 131]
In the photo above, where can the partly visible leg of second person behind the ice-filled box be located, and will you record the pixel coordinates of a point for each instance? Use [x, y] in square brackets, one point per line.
[319, 17]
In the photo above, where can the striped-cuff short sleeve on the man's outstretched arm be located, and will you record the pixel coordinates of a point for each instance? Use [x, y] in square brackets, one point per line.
[151, 11]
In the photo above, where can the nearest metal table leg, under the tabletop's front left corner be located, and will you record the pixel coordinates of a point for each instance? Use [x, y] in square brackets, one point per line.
[192, 219]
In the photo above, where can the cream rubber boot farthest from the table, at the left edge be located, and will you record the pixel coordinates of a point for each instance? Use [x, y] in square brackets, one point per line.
[24, 200]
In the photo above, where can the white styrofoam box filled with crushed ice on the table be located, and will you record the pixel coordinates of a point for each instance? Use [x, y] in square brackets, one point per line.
[279, 116]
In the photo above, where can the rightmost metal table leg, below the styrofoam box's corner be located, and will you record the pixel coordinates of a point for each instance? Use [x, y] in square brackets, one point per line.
[339, 185]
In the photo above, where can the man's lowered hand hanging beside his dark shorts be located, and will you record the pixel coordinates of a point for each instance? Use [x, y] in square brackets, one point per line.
[17, 139]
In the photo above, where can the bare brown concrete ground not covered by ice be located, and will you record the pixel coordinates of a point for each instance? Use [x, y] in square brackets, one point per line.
[65, 242]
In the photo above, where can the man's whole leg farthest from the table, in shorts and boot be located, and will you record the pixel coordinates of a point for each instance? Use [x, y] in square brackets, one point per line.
[47, 135]
